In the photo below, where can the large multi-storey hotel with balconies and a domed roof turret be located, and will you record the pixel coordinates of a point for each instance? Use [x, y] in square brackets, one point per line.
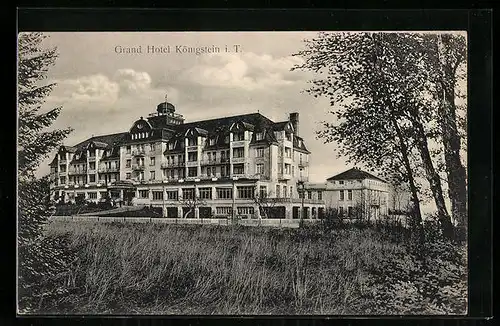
[245, 165]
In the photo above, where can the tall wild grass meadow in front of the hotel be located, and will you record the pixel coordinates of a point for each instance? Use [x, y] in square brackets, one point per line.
[128, 268]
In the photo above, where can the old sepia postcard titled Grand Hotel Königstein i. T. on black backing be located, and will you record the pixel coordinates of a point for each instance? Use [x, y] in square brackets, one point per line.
[242, 173]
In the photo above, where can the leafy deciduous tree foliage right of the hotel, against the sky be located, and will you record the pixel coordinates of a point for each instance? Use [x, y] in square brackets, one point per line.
[381, 90]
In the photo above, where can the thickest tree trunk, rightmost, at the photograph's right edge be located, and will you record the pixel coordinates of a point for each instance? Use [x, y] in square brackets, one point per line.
[457, 188]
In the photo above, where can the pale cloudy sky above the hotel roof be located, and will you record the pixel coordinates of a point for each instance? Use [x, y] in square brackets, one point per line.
[104, 91]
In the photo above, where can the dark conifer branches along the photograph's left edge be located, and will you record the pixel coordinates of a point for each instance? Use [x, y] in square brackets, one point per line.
[42, 261]
